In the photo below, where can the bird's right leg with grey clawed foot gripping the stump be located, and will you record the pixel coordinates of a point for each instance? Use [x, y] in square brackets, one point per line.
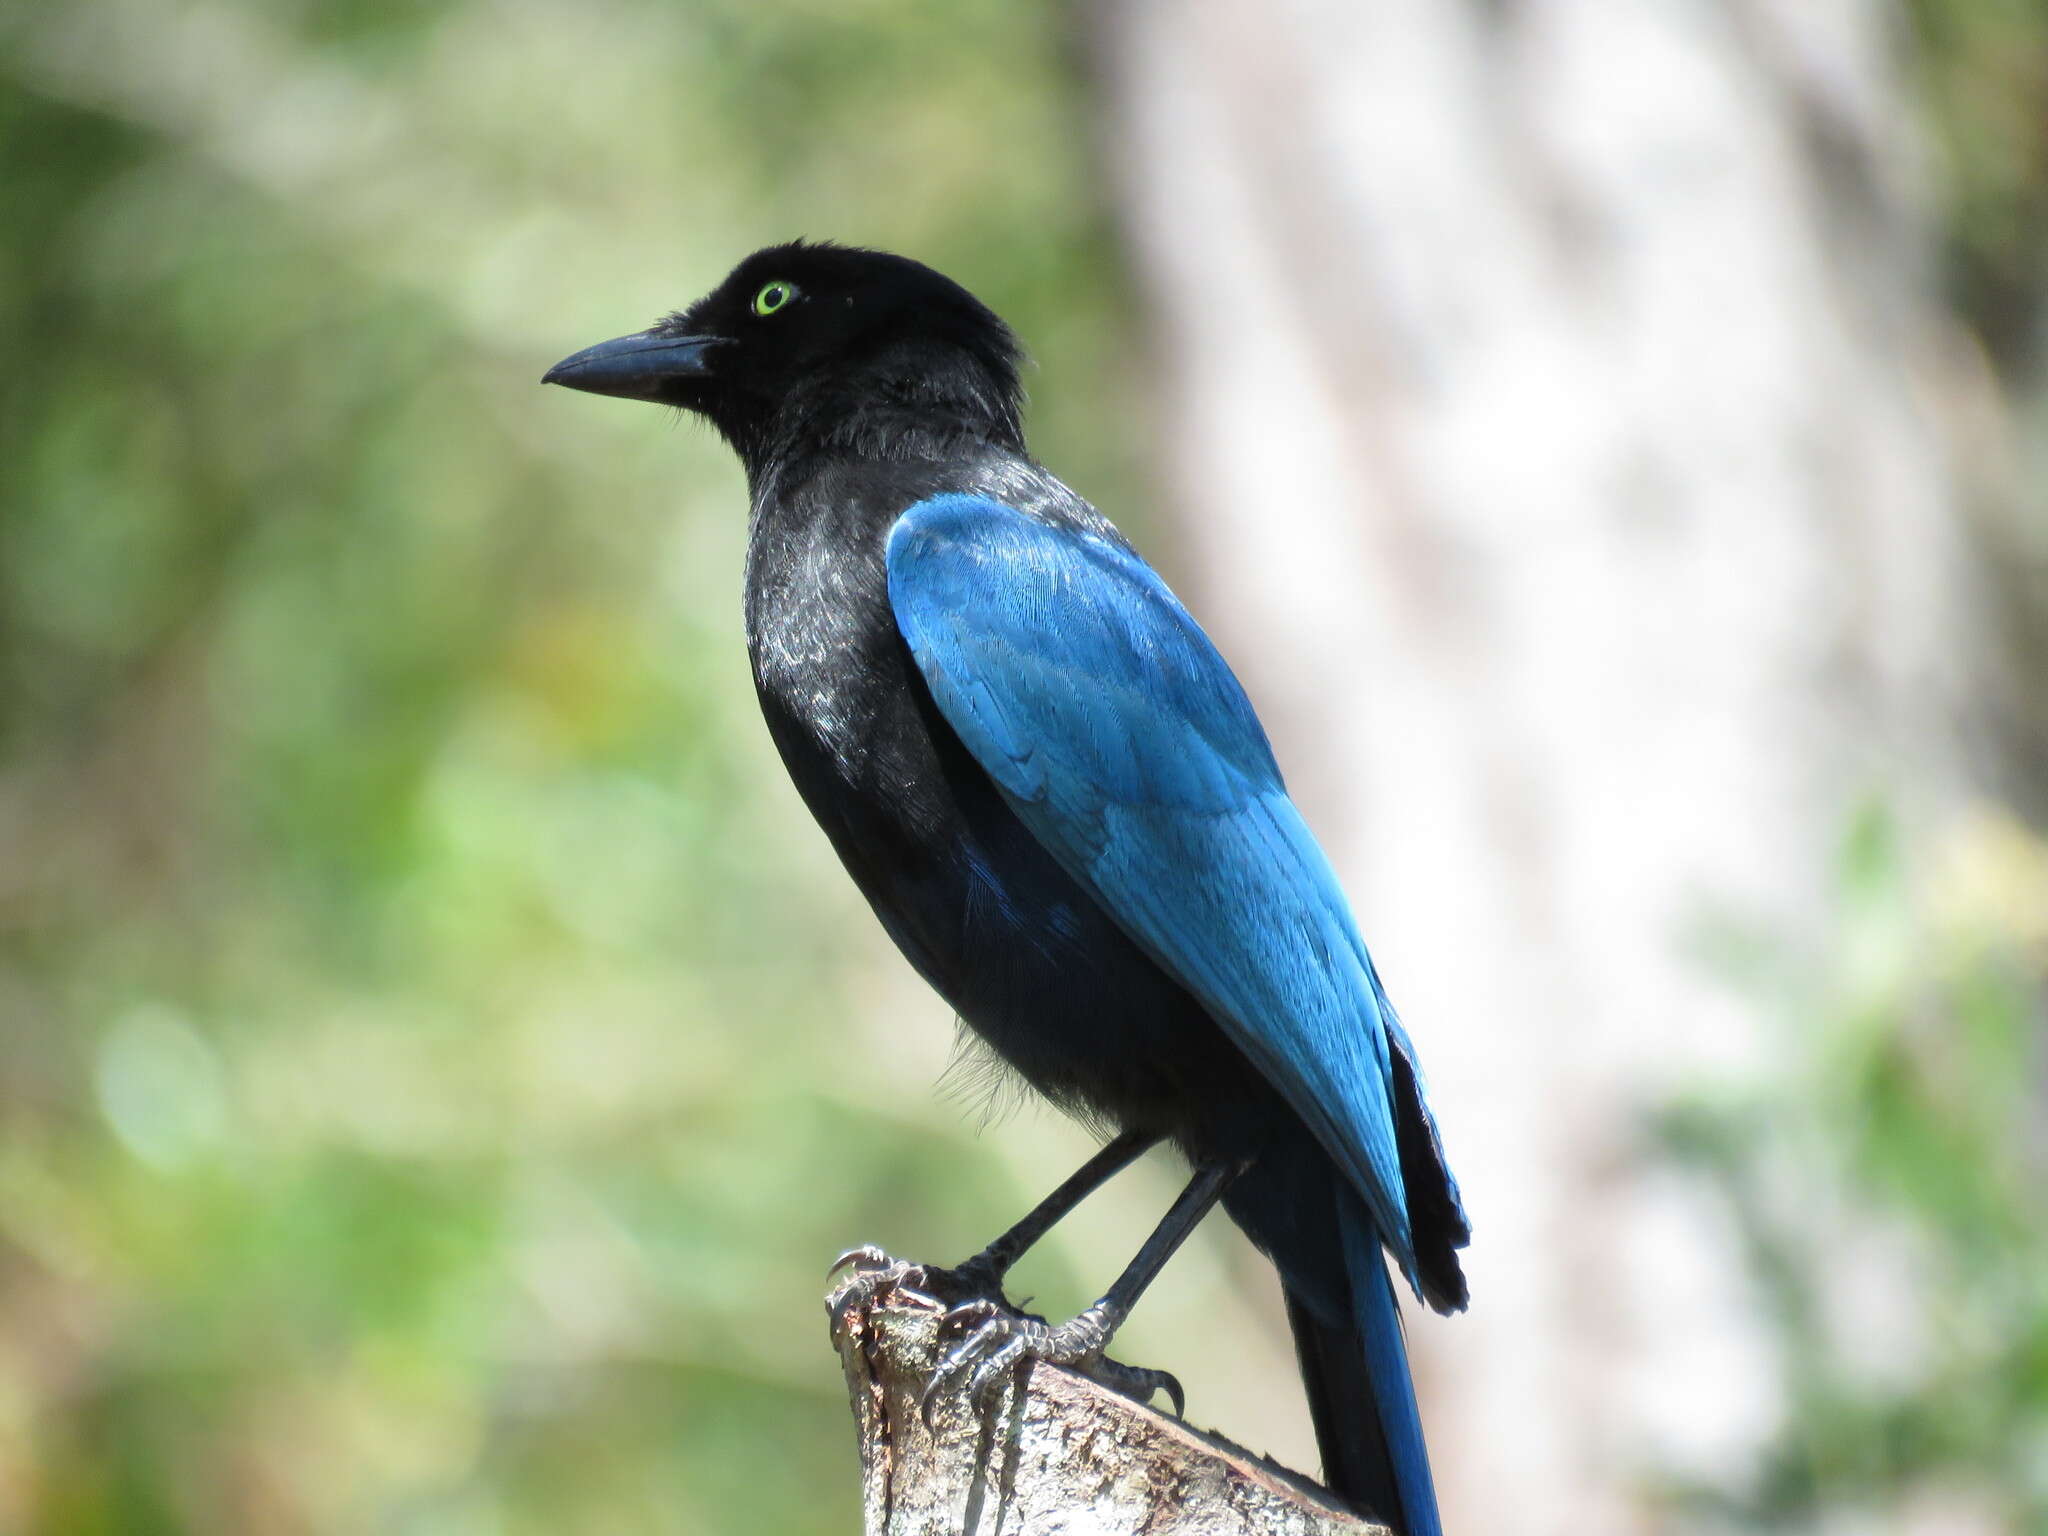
[1000, 1340]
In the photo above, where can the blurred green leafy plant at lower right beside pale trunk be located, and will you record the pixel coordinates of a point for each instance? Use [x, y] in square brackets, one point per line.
[1885, 1175]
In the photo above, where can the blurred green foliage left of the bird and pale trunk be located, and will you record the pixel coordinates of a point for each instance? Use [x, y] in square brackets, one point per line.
[425, 1011]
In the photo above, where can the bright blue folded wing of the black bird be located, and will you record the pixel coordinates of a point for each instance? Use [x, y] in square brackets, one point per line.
[1127, 746]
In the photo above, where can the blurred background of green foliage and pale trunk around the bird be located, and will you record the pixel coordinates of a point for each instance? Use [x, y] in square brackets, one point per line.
[437, 1052]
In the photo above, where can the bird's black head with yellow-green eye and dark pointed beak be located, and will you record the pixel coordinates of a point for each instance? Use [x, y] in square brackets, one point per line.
[822, 345]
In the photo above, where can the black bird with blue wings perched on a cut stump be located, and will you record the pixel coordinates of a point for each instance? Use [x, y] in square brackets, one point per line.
[1066, 814]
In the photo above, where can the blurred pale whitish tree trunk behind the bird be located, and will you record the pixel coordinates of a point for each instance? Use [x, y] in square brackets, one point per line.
[1545, 419]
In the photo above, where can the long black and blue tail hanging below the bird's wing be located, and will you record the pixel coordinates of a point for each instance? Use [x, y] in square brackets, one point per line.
[1361, 1394]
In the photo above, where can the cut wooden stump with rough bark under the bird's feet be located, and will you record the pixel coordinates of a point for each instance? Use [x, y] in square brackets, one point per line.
[1052, 1455]
